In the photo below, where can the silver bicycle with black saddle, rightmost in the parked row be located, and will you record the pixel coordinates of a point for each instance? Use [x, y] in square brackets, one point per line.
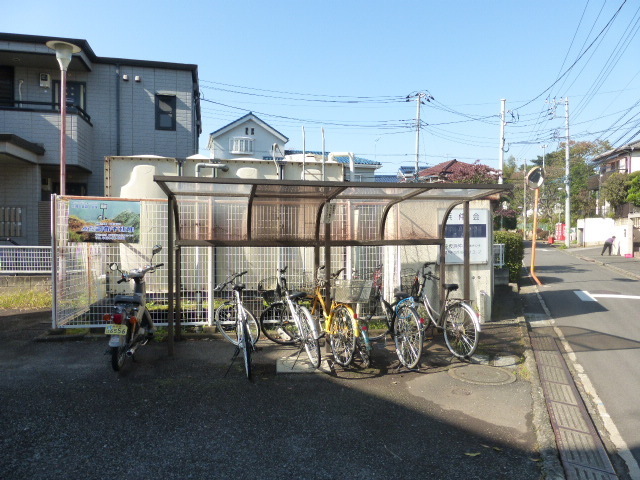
[458, 320]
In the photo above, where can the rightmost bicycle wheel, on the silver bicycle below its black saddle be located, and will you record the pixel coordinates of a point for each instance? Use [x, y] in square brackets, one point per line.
[461, 330]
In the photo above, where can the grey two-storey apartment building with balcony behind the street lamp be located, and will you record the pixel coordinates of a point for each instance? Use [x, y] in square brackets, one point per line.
[115, 106]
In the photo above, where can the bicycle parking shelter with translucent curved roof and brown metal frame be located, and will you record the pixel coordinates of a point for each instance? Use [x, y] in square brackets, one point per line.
[318, 214]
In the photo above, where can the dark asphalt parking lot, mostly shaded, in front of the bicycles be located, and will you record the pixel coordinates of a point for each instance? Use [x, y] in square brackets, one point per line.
[66, 414]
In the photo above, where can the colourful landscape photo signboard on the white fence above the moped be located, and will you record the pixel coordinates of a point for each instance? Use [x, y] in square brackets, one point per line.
[110, 221]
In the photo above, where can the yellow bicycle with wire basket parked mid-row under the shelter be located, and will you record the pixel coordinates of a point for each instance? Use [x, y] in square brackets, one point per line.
[340, 321]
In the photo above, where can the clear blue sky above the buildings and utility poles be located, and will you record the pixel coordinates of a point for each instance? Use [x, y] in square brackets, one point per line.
[349, 65]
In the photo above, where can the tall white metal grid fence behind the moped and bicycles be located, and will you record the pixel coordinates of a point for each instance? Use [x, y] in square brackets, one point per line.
[85, 285]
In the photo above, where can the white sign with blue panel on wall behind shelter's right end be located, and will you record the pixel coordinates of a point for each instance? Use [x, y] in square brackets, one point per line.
[478, 236]
